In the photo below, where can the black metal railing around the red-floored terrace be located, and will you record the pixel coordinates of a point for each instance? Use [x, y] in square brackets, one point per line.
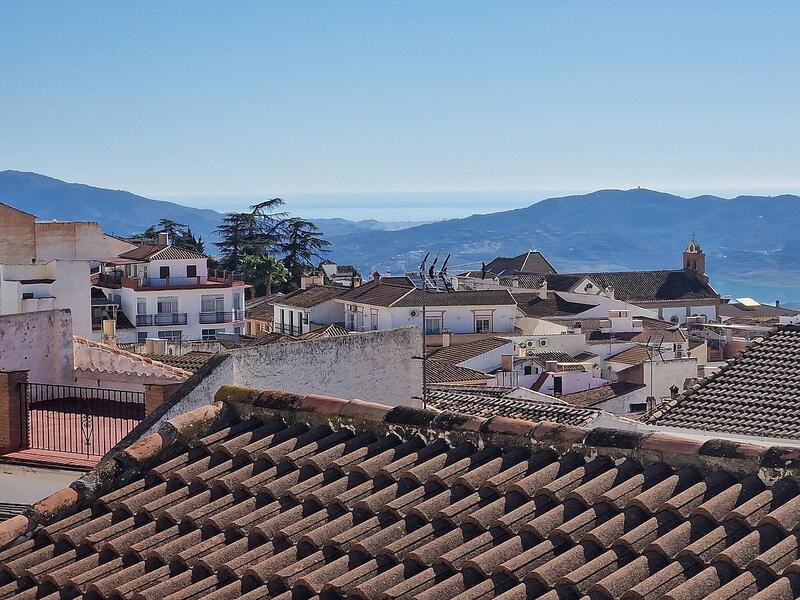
[77, 420]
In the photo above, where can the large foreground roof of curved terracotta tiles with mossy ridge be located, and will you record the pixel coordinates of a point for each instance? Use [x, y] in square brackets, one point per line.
[302, 500]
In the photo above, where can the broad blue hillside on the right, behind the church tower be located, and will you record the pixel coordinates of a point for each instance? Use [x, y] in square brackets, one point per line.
[751, 241]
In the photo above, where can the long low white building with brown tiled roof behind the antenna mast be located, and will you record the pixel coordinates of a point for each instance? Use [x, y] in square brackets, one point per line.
[379, 305]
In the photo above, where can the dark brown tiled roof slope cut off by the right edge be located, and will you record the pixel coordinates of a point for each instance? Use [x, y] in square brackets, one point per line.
[756, 393]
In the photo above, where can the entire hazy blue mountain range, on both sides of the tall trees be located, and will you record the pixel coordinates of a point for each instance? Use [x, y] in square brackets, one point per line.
[752, 242]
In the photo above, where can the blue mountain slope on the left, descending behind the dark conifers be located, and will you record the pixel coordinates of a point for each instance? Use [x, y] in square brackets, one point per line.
[119, 212]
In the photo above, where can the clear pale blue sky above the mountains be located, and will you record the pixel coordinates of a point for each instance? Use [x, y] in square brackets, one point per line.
[172, 98]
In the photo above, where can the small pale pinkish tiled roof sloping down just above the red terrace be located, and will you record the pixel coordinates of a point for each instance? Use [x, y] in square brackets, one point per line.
[95, 356]
